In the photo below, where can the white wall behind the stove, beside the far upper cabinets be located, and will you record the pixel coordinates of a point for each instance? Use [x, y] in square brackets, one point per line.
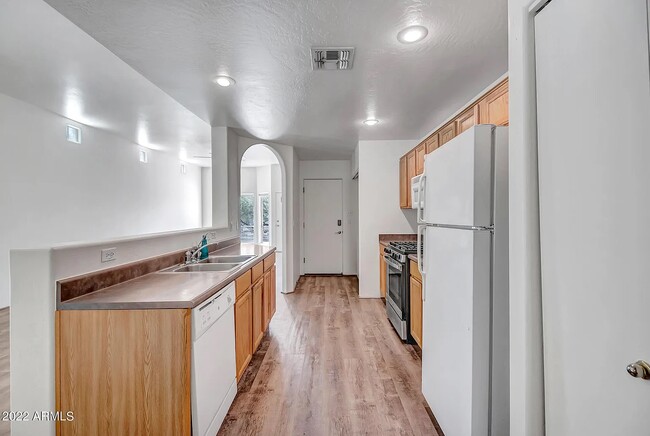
[379, 210]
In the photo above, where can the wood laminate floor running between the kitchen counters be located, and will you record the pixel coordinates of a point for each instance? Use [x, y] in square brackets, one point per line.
[331, 364]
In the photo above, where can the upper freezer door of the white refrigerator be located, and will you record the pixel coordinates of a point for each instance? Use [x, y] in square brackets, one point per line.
[459, 180]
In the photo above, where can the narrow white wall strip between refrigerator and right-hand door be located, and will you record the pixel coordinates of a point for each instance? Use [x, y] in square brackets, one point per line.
[526, 371]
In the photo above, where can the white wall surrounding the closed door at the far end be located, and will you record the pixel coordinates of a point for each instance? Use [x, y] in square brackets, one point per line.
[333, 169]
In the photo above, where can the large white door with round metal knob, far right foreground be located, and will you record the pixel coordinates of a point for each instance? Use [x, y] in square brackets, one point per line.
[593, 96]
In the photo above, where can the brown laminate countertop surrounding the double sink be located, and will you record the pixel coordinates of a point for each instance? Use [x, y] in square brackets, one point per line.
[169, 290]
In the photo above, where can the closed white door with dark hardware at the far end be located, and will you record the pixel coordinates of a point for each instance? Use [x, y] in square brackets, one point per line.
[323, 247]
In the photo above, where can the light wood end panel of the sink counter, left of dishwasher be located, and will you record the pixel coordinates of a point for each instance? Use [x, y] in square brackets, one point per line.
[118, 382]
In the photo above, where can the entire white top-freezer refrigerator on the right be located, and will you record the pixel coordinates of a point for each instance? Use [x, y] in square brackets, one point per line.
[463, 225]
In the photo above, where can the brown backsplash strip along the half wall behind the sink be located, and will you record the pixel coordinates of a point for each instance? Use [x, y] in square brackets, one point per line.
[84, 284]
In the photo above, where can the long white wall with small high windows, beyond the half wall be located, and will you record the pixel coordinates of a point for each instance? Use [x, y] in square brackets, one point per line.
[54, 191]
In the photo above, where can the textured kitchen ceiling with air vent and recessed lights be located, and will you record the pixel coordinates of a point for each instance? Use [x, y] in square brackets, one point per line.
[264, 46]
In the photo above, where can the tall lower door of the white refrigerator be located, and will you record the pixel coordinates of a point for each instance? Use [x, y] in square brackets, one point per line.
[456, 329]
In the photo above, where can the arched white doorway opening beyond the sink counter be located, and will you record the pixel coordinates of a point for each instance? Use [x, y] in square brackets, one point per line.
[262, 206]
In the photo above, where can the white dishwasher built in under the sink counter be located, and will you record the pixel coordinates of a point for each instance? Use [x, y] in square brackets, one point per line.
[214, 378]
